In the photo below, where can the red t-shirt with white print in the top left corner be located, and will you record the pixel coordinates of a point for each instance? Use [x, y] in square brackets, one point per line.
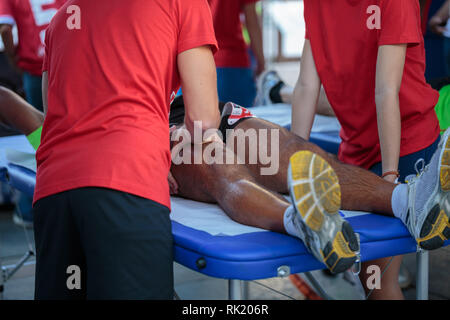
[32, 18]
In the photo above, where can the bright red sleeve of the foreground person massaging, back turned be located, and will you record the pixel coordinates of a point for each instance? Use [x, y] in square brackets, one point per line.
[195, 26]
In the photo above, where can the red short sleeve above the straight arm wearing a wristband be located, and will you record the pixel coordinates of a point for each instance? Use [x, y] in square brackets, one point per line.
[400, 22]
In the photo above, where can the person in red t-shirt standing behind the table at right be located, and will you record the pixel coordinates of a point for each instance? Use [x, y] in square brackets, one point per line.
[370, 57]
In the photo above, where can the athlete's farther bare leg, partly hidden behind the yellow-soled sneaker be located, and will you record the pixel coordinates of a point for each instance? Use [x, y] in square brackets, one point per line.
[361, 189]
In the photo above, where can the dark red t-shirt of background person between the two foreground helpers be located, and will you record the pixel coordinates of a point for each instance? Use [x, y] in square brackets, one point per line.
[228, 27]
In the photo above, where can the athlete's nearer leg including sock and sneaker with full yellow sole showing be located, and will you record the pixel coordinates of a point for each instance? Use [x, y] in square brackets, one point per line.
[236, 191]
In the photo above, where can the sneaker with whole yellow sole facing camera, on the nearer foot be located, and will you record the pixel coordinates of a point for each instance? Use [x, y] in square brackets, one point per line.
[316, 196]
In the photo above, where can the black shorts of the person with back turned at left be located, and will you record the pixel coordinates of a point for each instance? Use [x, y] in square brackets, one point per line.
[121, 243]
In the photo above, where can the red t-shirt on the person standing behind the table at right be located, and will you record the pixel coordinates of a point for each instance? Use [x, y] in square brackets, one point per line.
[345, 52]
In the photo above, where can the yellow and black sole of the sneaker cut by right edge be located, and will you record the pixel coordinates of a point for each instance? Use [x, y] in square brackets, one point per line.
[436, 228]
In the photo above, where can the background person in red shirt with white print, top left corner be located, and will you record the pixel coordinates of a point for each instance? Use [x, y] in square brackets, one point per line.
[32, 17]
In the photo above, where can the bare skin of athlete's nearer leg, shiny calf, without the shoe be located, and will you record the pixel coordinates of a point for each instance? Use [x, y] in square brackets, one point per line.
[235, 190]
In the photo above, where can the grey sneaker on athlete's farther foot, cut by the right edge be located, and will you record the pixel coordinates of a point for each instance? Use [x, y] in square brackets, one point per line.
[428, 213]
